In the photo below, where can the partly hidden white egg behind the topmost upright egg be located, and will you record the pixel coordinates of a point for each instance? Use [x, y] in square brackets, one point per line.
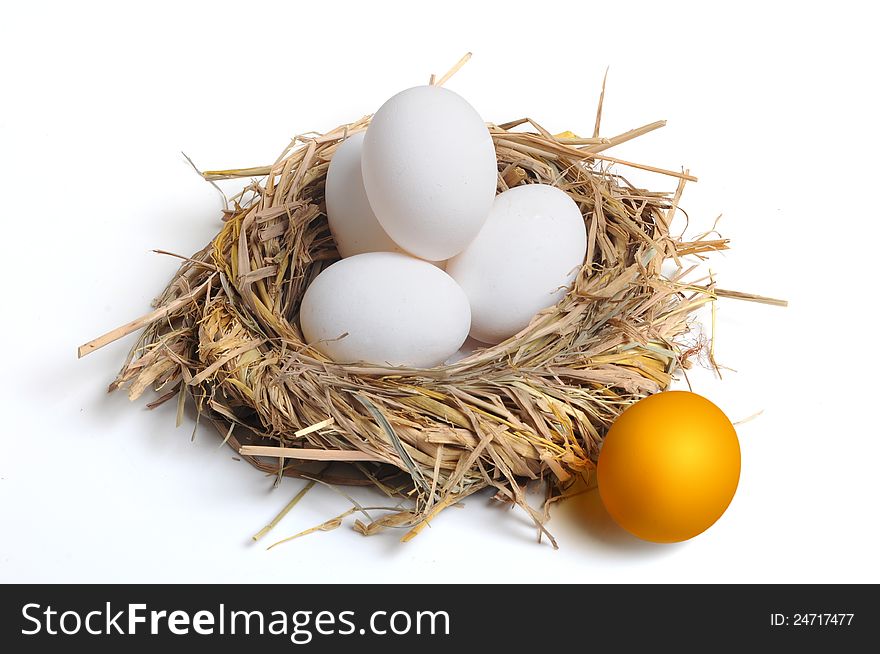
[352, 222]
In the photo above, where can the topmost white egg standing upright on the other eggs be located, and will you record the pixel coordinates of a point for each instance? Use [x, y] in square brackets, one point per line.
[430, 171]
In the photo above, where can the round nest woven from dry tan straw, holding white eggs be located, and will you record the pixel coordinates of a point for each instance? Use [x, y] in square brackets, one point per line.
[531, 409]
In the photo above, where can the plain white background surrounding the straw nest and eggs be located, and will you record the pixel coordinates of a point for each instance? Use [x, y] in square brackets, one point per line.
[773, 107]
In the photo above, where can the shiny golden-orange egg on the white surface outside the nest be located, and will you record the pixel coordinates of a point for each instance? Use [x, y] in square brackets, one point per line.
[669, 466]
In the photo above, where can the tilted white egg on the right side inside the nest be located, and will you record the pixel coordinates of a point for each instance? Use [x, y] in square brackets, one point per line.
[524, 259]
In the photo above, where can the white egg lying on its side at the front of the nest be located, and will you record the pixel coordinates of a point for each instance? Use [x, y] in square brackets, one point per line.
[385, 308]
